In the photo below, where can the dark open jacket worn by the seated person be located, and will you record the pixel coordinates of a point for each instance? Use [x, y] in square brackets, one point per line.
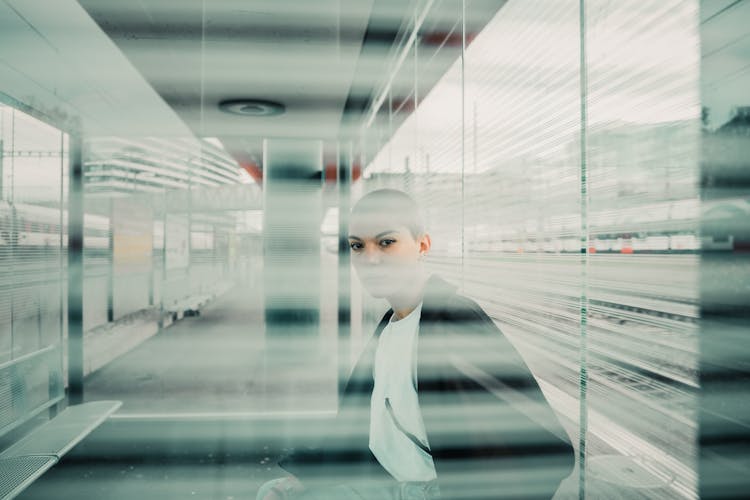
[491, 432]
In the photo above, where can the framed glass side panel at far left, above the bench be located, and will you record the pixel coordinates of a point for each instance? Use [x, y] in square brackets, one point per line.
[33, 170]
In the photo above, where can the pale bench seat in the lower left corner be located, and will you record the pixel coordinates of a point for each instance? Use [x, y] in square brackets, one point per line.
[30, 457]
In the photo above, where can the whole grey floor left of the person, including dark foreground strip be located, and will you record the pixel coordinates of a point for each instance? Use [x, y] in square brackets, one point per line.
[207, 406]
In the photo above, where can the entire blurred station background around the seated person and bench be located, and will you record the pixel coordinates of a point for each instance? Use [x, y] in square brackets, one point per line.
[175, 183]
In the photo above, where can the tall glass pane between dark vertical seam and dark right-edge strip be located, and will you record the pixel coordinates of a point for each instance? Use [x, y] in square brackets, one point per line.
[642, 276]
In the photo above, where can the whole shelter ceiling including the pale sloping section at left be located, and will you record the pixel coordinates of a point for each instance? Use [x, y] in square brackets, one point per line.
[162, 67]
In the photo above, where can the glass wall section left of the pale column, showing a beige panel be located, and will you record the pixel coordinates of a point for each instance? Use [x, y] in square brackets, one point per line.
[163, 226]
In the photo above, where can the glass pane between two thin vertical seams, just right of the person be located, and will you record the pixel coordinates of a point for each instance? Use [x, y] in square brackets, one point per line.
[522, 201]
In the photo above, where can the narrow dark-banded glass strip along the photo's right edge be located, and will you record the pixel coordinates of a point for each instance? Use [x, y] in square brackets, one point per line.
[725, 238]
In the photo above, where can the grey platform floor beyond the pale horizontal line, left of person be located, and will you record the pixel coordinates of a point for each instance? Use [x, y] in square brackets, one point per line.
[220, 362]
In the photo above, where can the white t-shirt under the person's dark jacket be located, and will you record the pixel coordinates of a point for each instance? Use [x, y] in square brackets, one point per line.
[395, 381]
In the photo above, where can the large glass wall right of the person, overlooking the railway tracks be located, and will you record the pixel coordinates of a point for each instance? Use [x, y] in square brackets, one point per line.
[557, 163]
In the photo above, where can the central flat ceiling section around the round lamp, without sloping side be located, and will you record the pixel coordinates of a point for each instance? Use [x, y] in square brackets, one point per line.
[305, 55]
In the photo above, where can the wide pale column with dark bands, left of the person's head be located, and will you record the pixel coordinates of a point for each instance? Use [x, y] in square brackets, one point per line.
[292, 213]
